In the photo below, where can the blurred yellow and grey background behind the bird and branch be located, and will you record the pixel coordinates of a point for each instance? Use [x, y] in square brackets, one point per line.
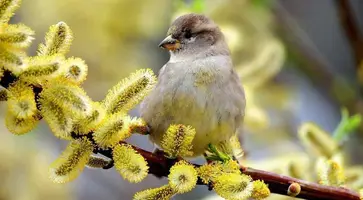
[299, 61]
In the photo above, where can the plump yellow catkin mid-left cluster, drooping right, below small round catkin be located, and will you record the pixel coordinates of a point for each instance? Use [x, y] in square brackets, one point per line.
[71, 98]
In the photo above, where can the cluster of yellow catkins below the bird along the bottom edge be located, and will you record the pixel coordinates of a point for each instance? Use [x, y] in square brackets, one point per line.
[225, 178]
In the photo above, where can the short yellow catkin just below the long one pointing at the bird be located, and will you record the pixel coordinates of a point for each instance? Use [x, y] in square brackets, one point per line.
[112, 131]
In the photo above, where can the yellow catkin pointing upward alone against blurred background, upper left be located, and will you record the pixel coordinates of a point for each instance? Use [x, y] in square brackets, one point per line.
[57, 40]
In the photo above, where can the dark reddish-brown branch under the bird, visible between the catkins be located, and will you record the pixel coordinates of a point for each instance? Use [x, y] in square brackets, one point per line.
[159, 166]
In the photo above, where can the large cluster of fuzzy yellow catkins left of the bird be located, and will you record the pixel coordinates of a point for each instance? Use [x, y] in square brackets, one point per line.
[48, 86]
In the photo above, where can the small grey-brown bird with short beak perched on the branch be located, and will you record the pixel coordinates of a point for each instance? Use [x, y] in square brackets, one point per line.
[197, 87]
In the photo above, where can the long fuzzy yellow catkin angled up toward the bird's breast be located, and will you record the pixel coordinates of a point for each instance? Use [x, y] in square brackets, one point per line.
[130, 91]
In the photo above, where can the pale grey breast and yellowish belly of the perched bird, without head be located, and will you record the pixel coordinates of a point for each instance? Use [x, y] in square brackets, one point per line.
[195, 96]
